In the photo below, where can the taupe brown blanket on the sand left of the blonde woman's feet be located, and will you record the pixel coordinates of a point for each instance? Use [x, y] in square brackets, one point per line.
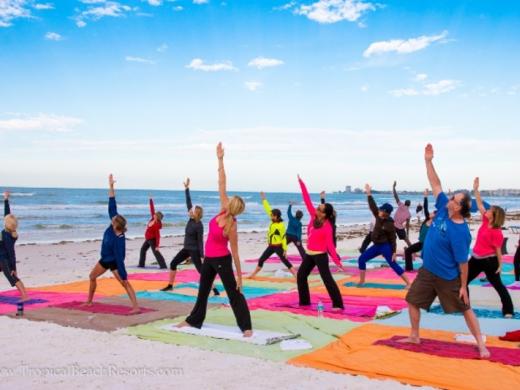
[110, 322]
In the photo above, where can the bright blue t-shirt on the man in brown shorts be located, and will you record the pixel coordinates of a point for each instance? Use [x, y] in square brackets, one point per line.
[447, 243]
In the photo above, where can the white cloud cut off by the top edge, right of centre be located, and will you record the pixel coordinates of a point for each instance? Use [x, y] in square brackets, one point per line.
[333, 11]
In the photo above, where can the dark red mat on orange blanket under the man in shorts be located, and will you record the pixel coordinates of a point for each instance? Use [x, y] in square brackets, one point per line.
[509, 356]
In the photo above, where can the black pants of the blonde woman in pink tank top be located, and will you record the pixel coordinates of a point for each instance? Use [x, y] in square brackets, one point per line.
[210, 268]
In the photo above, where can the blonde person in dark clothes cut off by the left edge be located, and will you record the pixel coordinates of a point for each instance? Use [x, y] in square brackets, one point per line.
[7, 253]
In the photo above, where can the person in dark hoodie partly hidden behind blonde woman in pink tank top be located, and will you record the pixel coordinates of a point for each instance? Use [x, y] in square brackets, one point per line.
[193, 247]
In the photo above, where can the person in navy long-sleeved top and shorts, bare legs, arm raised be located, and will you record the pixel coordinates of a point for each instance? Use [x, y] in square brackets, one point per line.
[113, 250]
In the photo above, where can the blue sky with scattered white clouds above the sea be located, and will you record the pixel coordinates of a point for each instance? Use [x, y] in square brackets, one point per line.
[342, 92]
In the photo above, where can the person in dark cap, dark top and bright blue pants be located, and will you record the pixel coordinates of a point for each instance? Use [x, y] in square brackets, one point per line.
[383, 238]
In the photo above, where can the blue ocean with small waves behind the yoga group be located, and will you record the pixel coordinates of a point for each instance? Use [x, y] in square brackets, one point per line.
[49, 215]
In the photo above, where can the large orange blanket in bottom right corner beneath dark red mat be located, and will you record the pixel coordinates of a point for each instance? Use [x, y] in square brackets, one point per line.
[354, 353]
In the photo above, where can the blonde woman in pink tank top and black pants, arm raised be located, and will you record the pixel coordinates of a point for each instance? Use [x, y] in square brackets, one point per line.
[219, 258]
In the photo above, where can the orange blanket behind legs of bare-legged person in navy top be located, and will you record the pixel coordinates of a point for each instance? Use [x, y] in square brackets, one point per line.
[105, 286]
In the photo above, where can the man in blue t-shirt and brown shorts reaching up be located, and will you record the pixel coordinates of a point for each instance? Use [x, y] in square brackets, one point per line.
[445, 261]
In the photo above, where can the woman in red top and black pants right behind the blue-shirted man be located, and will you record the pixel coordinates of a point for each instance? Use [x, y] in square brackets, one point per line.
[487, 253]
